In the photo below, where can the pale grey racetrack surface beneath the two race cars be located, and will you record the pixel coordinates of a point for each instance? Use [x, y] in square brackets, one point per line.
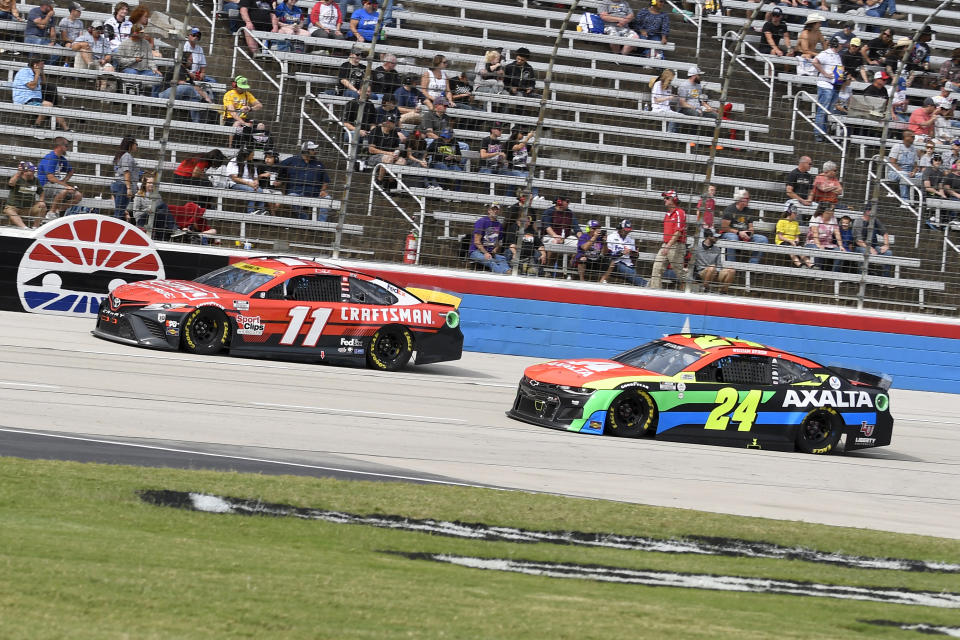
[68, 395]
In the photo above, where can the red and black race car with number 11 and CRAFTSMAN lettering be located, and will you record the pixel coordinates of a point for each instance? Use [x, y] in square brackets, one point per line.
[291, 307]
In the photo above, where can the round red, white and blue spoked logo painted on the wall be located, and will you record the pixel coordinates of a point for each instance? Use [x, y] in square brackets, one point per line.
[76, 261]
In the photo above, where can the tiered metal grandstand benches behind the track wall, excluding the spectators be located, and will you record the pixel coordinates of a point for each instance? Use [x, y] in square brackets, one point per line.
[601, 144]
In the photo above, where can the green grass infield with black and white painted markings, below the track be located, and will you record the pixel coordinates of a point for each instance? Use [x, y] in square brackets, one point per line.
[82, 557]
